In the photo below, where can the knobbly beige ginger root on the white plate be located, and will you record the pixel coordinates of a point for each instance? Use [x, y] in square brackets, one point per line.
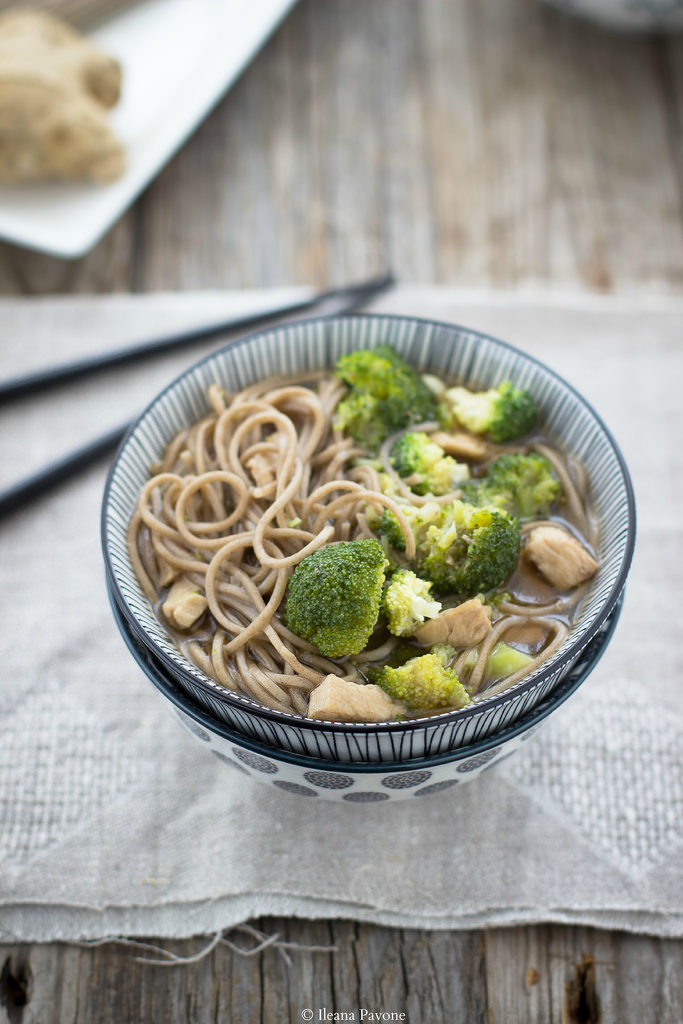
[55, 91]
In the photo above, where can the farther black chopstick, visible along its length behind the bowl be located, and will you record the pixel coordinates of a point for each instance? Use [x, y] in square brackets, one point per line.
[42, 380]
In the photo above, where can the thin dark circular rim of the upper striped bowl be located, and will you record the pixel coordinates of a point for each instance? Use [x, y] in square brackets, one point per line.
[245, 704]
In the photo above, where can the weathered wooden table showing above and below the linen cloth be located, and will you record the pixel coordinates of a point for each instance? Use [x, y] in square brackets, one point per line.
[477, 144]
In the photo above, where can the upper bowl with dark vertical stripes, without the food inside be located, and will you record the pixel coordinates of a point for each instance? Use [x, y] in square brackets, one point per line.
[455, 353]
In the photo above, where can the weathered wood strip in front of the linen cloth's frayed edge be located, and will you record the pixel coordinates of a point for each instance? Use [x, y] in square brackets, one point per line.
[503, 976]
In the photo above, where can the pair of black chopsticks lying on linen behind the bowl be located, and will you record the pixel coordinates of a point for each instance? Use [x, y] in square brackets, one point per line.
[340, 302]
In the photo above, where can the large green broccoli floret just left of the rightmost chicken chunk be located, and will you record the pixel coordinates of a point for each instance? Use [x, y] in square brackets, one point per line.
[469, 550]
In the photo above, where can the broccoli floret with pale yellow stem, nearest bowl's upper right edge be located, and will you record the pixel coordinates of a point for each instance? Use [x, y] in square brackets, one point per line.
[504, 413]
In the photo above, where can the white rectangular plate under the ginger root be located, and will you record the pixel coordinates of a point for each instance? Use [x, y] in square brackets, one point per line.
[179, 58]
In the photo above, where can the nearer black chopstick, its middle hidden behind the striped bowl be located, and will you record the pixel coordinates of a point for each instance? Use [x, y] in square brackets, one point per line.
[17, 496]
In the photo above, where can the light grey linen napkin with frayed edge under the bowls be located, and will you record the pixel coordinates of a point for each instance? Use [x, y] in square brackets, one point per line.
[115, 822]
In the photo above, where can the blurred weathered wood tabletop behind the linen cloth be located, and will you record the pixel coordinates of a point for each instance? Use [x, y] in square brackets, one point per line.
[499, 144]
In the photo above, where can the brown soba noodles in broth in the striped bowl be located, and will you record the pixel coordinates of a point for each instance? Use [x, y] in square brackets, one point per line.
[254, 487]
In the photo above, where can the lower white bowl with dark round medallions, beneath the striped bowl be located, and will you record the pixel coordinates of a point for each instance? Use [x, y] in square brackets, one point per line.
[351, 782]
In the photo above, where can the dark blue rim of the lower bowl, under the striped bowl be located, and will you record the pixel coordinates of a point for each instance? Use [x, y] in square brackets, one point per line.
[167, 689]
